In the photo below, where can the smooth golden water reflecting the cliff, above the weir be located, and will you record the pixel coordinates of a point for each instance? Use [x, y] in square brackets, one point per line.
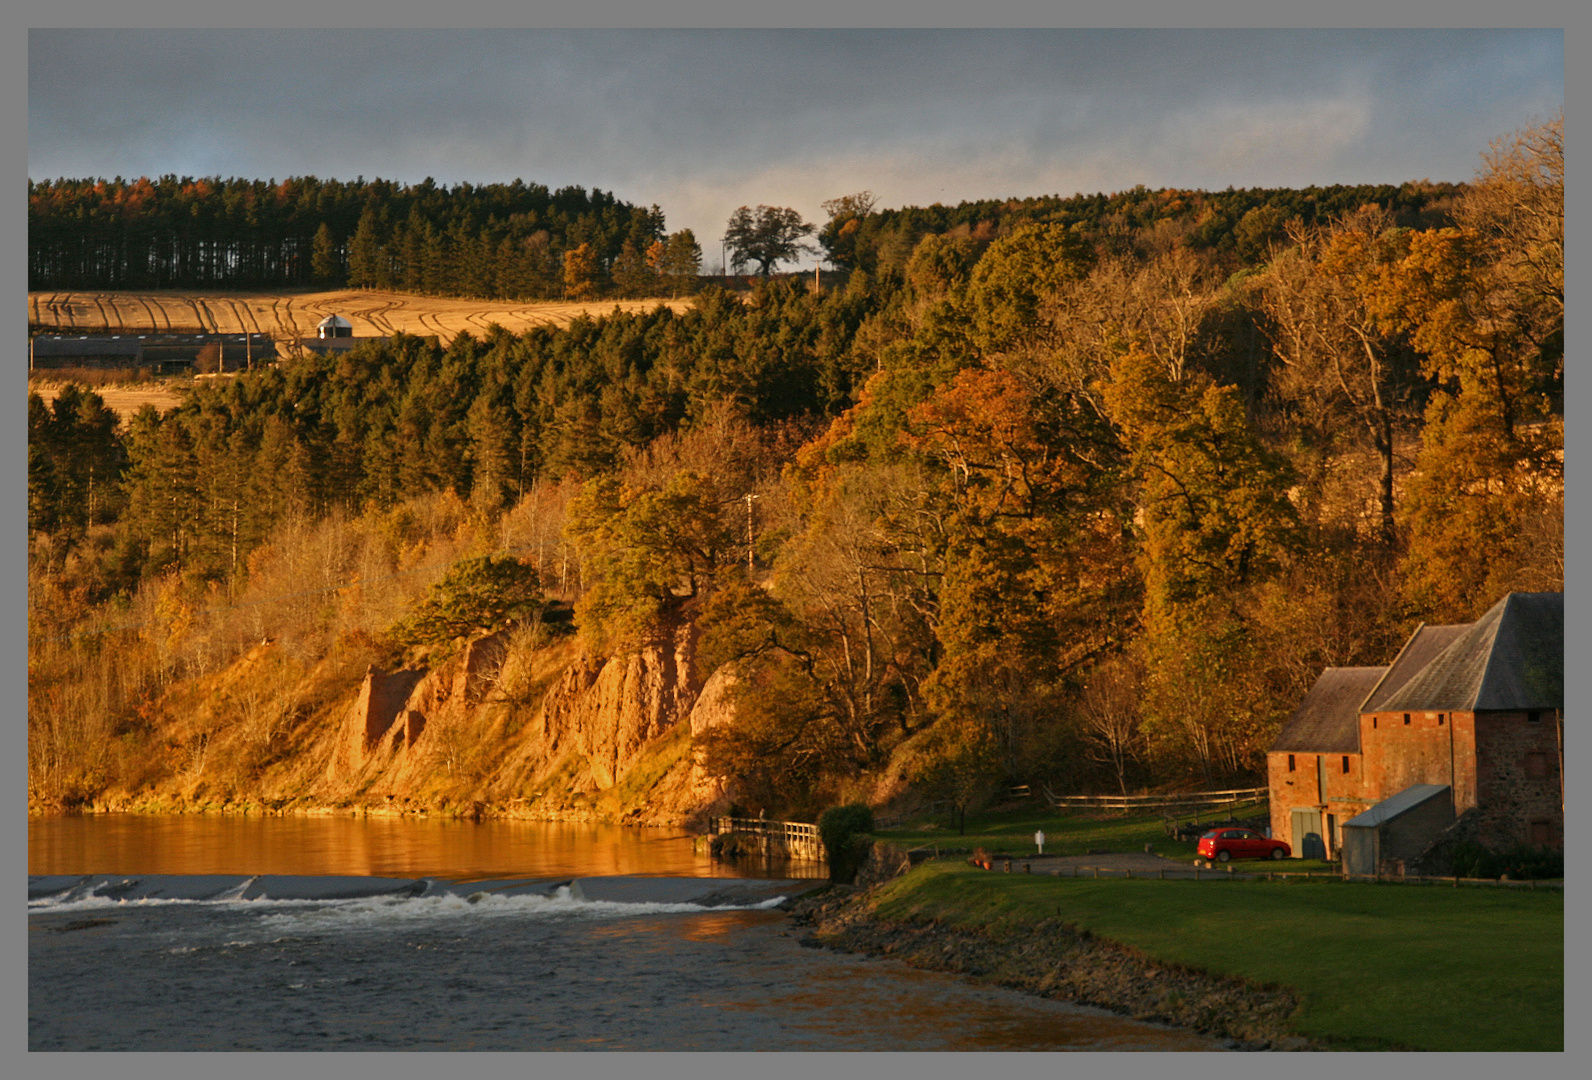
[372, 847]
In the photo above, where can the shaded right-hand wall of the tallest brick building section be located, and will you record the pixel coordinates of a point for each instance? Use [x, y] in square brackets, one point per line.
[1512, 800]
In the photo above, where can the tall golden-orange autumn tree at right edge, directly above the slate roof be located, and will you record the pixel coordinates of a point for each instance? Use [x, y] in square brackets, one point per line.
[1485, 303]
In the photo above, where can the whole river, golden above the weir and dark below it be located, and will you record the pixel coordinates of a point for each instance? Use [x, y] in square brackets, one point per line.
[497, 969]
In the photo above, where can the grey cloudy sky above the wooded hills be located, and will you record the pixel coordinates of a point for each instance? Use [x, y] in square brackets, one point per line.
[701, 122]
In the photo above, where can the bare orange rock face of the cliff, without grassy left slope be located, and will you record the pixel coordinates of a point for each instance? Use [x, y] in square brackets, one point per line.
[599, 721]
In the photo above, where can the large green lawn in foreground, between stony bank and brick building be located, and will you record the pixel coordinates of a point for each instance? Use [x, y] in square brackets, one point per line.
[1376, 966]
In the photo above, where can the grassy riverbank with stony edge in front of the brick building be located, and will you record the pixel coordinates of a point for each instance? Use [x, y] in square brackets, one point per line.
[1276, 965]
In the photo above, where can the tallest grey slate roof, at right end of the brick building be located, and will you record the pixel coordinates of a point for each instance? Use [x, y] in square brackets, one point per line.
[1510, 659]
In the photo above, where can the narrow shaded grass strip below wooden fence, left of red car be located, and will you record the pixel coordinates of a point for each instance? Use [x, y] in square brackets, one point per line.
[1069, 834]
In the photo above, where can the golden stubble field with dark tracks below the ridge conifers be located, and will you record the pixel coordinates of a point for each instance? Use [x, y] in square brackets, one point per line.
[297, 315]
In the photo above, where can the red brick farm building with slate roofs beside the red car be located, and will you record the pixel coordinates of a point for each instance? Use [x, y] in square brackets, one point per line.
[1462, 734]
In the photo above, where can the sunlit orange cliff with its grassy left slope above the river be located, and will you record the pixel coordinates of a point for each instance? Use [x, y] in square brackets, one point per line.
[504, 726]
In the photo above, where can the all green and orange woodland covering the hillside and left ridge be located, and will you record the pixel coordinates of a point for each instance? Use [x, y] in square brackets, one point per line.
[1080, 491]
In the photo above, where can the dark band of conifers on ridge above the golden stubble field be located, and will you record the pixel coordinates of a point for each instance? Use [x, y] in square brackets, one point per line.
[490, 241]
